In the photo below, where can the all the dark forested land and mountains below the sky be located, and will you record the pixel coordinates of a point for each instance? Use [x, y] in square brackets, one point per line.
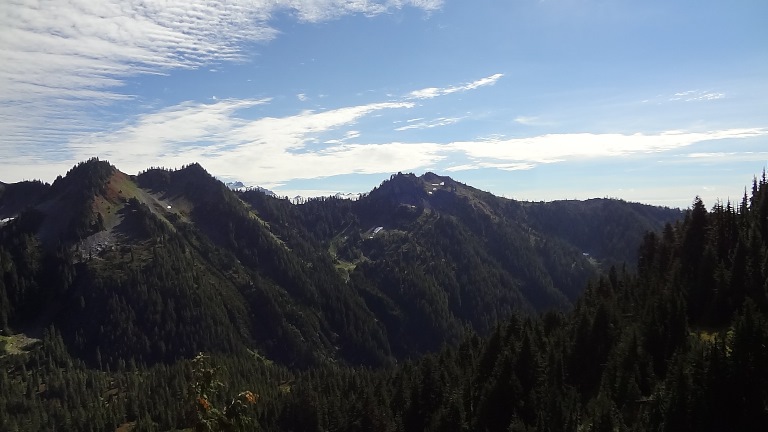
[465, 312]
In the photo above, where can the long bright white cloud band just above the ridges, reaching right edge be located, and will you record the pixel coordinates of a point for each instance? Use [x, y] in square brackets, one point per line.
[272, 150]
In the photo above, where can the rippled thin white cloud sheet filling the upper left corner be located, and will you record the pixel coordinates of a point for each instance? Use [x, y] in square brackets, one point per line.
[61, 57]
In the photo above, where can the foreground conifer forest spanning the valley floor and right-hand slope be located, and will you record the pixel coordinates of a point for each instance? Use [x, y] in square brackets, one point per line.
[677, 343]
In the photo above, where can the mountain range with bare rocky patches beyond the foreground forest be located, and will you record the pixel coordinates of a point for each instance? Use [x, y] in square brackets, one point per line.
[164, 264]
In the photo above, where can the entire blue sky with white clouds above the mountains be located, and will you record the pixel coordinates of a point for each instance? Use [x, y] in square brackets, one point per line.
[652, 101]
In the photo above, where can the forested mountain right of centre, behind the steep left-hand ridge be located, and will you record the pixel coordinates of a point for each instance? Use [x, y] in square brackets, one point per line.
[453, 254]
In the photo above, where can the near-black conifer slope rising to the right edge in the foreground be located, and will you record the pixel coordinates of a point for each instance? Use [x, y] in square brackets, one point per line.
[681, 344]
